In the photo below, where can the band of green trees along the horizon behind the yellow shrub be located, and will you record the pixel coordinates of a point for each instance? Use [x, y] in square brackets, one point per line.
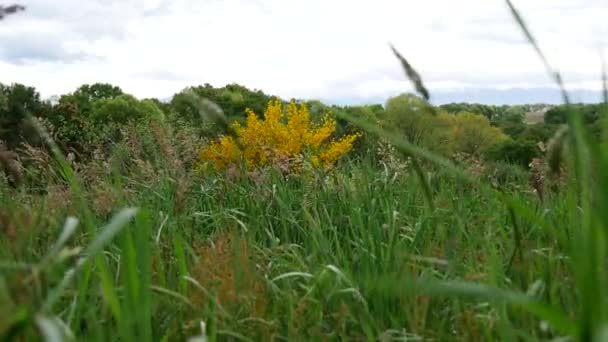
[95, 115]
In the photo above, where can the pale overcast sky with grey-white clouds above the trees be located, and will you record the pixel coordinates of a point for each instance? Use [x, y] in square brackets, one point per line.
[333, 50]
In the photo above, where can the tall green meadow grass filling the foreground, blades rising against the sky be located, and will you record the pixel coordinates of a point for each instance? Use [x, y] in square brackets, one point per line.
[360, 253]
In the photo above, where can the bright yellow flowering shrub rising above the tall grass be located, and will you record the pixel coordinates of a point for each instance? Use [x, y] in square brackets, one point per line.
[282, 137]
